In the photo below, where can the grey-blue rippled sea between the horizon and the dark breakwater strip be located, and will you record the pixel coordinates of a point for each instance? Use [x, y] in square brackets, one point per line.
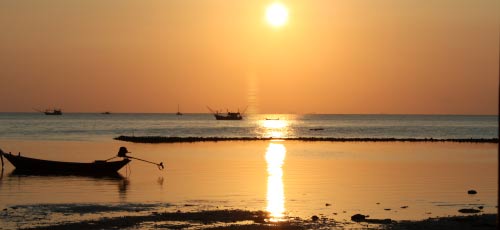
[86, 126]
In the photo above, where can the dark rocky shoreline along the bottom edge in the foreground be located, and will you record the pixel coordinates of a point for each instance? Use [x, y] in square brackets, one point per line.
[246, 219]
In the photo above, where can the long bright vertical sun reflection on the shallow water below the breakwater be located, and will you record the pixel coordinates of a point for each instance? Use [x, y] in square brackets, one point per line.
[275, 157]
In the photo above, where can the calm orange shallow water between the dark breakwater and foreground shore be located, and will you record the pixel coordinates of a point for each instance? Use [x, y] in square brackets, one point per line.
[289, 178]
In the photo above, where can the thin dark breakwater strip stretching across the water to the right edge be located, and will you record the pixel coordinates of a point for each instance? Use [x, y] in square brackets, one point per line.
[165, 139]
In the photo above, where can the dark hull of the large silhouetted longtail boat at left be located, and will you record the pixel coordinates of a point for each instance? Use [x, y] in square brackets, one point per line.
[38, 166]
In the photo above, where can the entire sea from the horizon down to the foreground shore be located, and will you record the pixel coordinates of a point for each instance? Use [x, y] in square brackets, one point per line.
[288, 178]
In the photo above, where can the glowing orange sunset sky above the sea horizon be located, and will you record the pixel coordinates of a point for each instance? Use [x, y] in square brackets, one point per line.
[341, 57]
